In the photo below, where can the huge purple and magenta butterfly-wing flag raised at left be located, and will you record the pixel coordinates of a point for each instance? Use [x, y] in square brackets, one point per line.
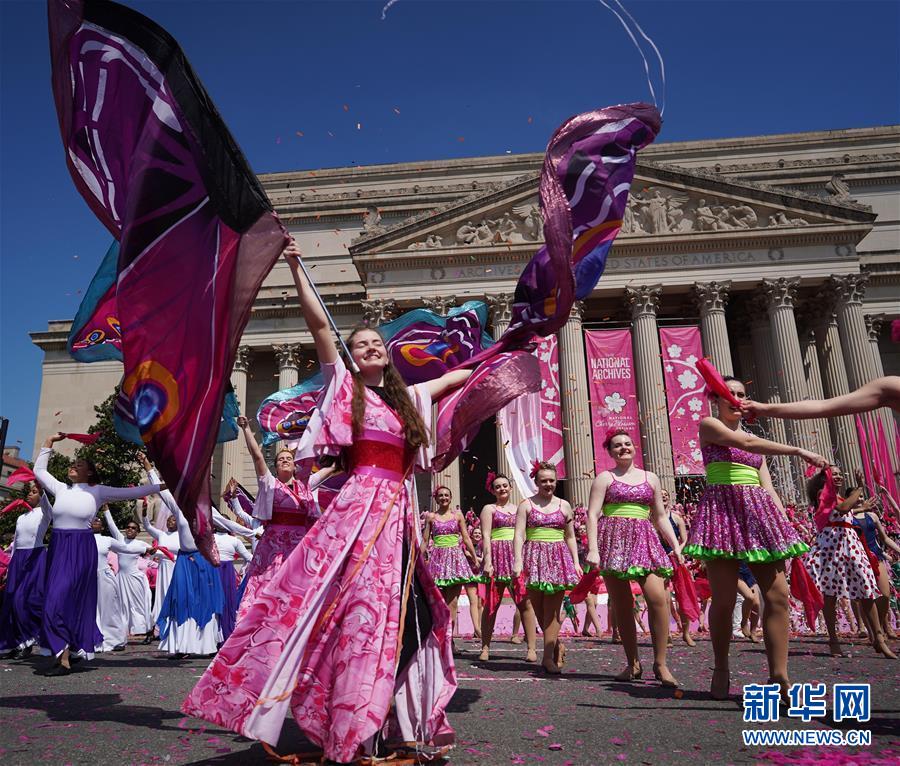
[197, 235]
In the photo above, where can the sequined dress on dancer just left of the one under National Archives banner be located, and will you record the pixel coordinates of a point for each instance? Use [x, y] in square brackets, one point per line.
[546, 557]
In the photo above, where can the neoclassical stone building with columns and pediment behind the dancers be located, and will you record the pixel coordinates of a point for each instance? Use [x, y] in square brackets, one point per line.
[785, 249]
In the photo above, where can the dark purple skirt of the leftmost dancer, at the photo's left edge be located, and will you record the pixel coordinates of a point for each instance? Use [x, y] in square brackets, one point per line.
[23, 601]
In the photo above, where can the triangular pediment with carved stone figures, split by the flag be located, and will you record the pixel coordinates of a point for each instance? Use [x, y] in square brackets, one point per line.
[666, 202]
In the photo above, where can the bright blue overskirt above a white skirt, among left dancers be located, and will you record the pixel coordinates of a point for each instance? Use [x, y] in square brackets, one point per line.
[195, 592]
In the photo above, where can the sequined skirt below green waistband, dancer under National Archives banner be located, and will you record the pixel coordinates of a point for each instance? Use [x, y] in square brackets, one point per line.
[630, 548]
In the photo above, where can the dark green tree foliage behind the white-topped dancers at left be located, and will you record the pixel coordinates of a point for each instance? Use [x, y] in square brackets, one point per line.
[117, 463]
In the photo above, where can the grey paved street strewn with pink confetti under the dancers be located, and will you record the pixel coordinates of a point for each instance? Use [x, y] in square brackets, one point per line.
[123, 709]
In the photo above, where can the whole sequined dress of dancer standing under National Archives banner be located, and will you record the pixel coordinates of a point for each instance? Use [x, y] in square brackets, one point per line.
[629, 547]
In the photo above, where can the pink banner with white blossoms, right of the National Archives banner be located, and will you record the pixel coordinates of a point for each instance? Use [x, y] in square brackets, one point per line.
[687, 404]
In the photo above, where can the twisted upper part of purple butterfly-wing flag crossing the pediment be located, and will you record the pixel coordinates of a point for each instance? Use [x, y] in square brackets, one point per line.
[585, 181]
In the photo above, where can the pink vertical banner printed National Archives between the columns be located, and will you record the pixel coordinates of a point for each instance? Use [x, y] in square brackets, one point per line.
[613, 391]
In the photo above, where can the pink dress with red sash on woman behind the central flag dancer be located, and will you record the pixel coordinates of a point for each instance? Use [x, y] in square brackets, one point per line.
[291, 515]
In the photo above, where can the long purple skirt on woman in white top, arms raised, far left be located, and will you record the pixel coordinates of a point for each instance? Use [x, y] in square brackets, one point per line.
[70, 604]
